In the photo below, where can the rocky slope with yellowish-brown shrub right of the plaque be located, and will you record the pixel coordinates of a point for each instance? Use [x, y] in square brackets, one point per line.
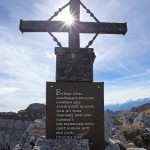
[132, 127]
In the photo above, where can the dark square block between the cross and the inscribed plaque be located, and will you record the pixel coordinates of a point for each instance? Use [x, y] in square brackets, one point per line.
[74, 65]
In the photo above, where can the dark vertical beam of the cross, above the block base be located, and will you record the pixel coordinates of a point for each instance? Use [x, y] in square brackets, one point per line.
[74, 36]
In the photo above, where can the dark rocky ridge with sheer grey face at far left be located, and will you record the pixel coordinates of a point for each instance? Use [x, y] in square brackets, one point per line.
[13, 125]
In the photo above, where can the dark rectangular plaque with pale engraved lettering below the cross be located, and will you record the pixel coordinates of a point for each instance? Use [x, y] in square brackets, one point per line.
[75, 110]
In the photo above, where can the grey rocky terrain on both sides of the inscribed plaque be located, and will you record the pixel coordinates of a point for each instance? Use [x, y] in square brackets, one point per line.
[123, 130]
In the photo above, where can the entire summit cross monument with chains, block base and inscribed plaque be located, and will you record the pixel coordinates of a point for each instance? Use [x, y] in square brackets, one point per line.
[79, 114]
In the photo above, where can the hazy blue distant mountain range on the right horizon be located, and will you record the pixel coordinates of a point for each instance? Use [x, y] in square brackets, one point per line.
[127, 105]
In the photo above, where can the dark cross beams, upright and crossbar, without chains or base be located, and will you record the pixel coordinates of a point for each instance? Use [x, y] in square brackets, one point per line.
[76, 28]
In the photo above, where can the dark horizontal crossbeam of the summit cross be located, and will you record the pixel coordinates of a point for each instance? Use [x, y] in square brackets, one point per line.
[80, 27]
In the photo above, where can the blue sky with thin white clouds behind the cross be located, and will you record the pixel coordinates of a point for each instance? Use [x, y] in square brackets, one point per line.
[27, 61]
